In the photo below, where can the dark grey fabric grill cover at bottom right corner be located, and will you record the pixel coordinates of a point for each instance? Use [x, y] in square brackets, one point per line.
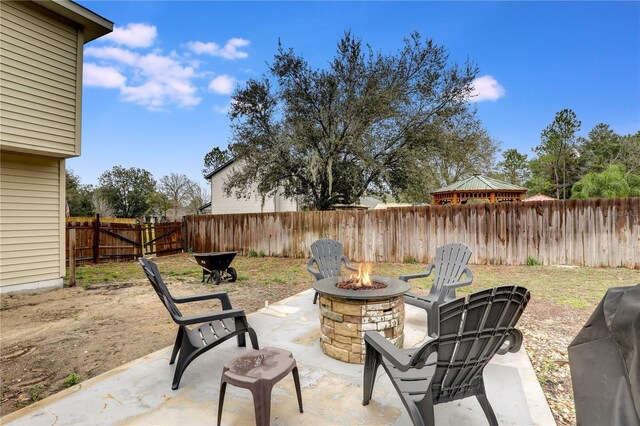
[605, 361]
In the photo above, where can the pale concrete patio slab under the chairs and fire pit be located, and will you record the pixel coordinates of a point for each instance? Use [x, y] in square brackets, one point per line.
[140, 392]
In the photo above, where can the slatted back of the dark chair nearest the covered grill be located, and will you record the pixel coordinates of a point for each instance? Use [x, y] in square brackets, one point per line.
[472, 330]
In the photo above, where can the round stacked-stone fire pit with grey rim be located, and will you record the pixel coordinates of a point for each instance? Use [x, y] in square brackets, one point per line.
[345, 315]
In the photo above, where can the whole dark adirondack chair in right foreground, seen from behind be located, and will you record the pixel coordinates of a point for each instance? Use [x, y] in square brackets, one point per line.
[449, 367]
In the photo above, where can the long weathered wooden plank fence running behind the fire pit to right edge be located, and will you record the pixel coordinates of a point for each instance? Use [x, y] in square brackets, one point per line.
[601, 232]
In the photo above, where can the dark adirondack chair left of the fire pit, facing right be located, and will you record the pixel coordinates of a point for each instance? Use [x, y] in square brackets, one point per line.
[211, 328]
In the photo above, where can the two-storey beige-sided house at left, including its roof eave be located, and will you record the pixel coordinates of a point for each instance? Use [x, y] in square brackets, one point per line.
[40, 99]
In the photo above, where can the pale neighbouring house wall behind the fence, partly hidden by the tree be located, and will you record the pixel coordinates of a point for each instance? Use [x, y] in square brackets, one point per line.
[221, 204]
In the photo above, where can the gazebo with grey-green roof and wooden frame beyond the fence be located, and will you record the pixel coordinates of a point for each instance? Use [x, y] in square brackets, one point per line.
[478, 187]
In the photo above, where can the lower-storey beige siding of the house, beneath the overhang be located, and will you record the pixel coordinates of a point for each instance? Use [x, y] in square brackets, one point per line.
[31, 219]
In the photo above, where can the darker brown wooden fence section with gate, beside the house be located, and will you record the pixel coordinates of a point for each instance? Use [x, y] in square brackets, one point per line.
[96, 240]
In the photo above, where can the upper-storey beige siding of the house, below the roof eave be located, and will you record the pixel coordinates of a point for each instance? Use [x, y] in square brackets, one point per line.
[41, 63]
